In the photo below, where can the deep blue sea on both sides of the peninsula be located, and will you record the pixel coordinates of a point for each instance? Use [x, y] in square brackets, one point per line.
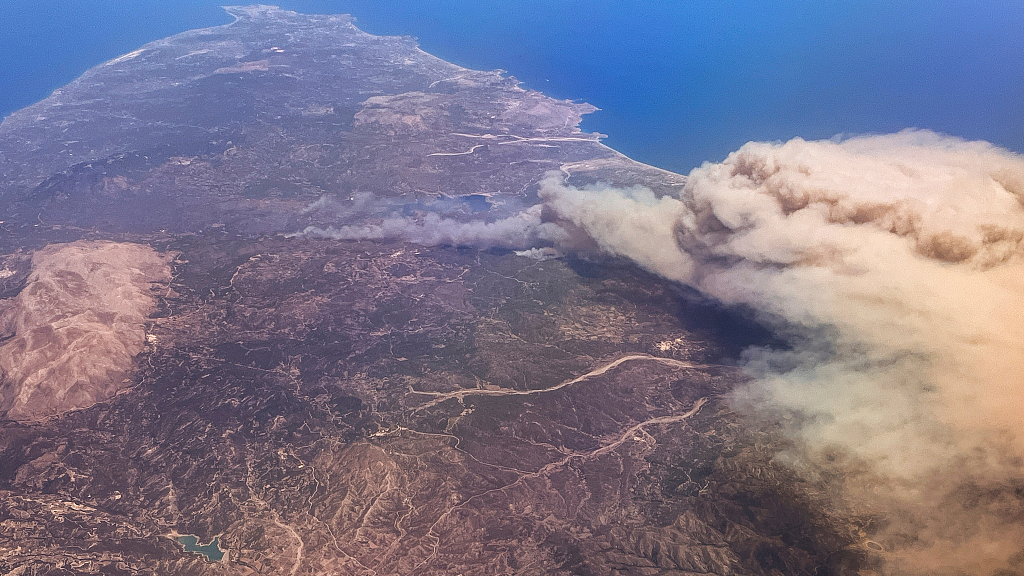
[679, 81]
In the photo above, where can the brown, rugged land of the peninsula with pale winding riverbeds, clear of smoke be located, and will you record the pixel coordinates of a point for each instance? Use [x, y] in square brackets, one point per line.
[181, 359]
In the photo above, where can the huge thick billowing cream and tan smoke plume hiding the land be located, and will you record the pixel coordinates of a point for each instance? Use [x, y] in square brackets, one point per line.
[895, 264]
